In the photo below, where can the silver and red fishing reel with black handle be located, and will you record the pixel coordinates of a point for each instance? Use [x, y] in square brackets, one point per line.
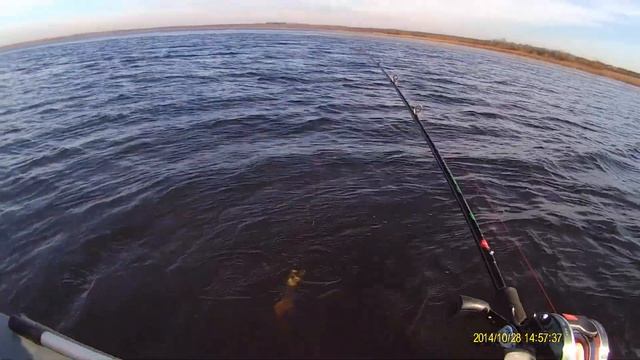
[542, 335]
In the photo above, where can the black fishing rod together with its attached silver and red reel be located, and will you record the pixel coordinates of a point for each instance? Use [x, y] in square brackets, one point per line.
[561, 336]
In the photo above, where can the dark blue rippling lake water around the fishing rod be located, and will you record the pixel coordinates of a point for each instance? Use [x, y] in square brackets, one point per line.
[156, 190]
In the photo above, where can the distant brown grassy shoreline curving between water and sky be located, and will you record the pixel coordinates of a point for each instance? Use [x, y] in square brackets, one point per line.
[546, 55]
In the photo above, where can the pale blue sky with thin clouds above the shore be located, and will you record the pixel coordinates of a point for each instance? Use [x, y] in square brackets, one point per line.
[605, 30]
